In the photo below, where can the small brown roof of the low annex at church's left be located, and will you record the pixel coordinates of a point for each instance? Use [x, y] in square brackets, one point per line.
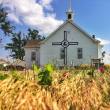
[32, 44]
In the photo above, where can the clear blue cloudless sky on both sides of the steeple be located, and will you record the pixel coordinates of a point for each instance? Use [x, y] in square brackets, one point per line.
[92, 15]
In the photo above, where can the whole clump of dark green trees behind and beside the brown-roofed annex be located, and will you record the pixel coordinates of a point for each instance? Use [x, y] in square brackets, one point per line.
[18, 42]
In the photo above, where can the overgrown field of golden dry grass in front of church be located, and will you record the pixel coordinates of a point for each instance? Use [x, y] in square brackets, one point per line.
[48, 89]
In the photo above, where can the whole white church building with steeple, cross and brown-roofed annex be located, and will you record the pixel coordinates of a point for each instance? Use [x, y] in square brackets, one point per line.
[67, 45]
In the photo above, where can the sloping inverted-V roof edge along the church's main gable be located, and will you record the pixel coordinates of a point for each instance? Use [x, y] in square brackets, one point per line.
[80, 29]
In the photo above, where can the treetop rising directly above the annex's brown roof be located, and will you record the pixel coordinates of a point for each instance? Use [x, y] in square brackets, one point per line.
[34, 35]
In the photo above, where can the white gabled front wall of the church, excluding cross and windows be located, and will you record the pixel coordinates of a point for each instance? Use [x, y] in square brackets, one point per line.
[49, 53]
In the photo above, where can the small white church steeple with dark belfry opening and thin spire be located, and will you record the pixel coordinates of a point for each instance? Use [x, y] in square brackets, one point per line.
[69, 11]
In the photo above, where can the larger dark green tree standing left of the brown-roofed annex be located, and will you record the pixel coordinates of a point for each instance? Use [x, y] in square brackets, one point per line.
[16, 46]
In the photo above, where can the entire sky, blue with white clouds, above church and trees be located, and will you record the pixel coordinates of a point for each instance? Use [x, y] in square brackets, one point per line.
[93, 16]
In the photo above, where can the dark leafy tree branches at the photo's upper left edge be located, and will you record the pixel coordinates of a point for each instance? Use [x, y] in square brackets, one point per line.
[5, 25]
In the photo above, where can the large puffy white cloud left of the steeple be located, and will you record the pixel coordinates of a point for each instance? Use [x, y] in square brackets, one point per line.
[32, 13]
